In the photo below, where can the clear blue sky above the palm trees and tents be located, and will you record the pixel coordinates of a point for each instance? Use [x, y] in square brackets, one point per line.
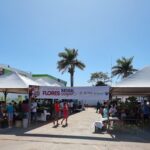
[33, 32]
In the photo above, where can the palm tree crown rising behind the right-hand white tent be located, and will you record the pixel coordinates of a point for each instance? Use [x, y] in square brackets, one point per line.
[123, 68]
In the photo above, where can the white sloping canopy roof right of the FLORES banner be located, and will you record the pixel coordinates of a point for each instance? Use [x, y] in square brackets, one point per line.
[137, 84]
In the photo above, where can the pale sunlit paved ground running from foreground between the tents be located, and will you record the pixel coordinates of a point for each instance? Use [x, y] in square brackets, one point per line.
[79, 135]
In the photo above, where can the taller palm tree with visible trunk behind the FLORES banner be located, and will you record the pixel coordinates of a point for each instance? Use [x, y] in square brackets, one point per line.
[68, 63]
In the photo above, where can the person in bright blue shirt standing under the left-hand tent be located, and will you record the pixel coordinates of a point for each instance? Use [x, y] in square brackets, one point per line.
[10, 112]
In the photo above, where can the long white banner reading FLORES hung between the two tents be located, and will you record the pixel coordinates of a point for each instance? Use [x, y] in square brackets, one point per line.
[81, 93]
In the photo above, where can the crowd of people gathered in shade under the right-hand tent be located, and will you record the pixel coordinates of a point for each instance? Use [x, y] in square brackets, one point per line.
[138, 111]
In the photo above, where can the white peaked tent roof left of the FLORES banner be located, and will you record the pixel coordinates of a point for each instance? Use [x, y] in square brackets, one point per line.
[15, 83]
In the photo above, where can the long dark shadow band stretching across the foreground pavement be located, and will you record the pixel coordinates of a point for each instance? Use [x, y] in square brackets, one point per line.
[115, 137]
